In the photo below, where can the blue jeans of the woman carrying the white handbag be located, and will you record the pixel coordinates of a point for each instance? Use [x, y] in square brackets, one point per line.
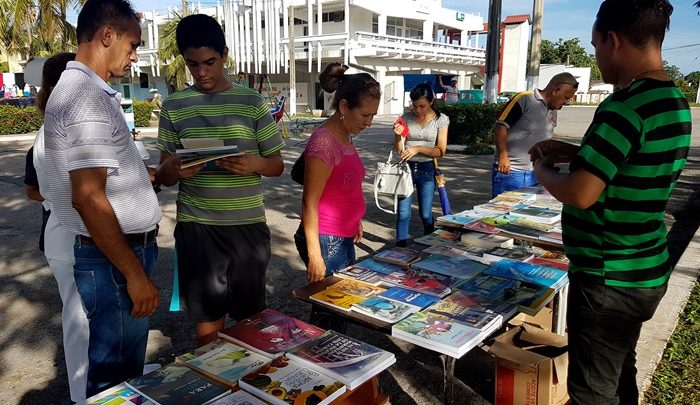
[423, 174]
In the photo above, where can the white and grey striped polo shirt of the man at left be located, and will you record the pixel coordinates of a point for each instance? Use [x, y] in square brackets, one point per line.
[85, 128]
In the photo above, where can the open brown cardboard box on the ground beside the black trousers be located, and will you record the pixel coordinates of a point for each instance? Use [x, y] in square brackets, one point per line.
[531, 367]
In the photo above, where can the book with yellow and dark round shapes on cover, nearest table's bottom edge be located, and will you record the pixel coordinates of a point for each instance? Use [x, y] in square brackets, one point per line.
[285, 382]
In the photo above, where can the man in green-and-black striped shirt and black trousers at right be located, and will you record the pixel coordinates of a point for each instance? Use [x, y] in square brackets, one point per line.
[614, 200]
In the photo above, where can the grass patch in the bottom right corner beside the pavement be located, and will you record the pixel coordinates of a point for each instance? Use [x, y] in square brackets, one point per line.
[677, 378]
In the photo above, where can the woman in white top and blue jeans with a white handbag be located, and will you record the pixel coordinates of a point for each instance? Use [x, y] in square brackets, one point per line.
[426, 140]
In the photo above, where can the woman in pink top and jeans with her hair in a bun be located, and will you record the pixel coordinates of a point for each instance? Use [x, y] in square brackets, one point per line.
[332, 203]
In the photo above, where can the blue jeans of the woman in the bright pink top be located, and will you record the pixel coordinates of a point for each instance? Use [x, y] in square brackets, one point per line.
[338, 252]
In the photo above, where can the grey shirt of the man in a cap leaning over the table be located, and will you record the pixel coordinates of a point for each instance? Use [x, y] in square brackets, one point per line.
[529, 120]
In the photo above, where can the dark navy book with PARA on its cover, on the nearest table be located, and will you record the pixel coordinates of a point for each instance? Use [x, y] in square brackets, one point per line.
[176, 385]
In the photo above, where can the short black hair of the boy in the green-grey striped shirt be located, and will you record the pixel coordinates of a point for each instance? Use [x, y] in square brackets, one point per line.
[200, 31]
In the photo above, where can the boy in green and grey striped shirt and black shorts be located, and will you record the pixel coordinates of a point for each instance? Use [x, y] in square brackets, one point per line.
[221, 238]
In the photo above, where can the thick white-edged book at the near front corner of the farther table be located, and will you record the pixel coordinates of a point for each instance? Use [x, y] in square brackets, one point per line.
[447, 337]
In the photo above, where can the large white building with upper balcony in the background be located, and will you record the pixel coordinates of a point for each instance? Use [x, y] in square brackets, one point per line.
[386, 39]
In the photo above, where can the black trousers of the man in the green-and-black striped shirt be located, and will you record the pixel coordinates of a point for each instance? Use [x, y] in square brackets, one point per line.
[604, 324]
